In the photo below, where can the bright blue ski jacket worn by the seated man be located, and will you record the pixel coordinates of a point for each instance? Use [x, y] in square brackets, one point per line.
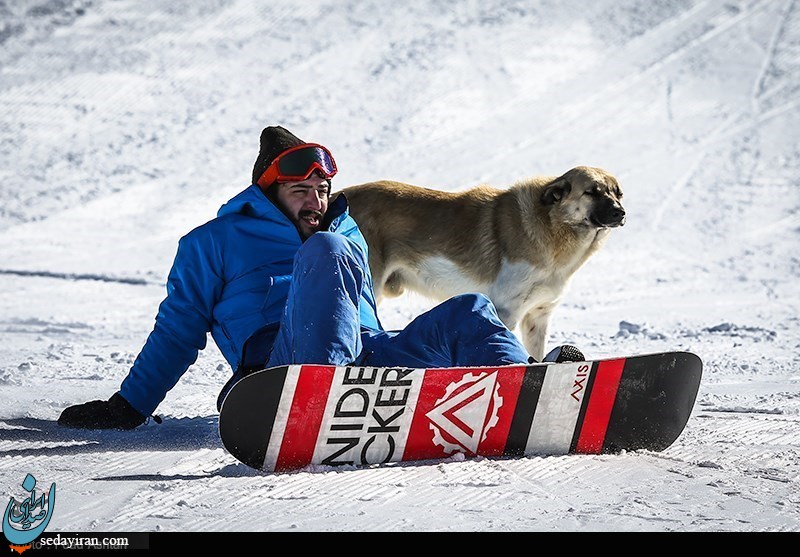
[231, 278]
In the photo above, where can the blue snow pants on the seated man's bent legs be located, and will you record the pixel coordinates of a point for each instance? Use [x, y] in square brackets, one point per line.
[321, 322]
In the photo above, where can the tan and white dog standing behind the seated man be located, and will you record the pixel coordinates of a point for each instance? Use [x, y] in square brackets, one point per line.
[519, 246]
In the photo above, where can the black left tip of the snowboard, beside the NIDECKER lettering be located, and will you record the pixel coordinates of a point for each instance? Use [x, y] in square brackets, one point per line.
[249, 415]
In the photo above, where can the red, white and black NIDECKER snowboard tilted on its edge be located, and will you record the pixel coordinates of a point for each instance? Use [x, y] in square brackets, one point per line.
[289, 417]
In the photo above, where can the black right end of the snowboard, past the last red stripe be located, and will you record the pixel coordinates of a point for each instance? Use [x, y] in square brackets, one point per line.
[654, 401]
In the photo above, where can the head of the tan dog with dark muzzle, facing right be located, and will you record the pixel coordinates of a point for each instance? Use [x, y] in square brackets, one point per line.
[586, 196]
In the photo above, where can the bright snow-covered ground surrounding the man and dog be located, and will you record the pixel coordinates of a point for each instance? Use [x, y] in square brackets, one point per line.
[125, 123]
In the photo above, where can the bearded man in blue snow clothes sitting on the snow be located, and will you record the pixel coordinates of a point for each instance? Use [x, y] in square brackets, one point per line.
[281, 277]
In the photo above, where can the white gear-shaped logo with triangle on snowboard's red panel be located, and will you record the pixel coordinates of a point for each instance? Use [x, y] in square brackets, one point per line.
[462, 418]
